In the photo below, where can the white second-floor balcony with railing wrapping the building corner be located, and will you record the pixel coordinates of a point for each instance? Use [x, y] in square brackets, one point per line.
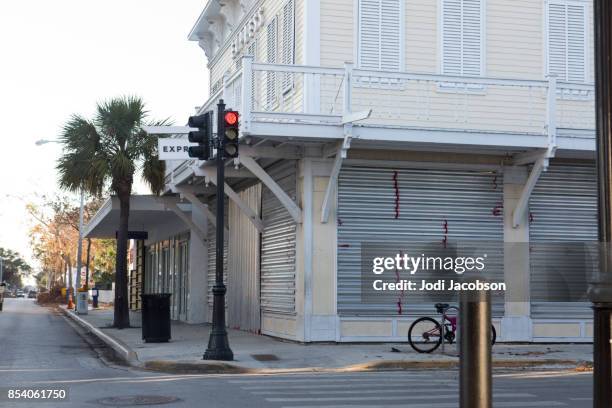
[293, 103]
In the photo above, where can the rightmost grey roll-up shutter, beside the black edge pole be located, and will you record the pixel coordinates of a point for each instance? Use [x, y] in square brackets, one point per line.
[563, 207]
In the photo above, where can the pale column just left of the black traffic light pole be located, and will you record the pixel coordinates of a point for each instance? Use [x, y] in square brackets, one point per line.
[197, 305]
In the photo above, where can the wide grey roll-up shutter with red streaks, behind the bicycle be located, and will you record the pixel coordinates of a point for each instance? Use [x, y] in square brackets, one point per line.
[467, 203]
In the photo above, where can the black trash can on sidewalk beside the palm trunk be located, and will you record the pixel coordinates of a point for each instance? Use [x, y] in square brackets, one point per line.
[156, 317]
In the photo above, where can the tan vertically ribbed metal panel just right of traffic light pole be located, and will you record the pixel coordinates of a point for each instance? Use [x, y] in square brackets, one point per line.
[243, 310]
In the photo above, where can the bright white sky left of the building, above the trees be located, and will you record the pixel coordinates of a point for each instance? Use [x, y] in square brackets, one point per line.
[60, 57]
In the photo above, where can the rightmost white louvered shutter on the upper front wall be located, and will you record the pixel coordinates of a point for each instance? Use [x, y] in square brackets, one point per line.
[566, 40]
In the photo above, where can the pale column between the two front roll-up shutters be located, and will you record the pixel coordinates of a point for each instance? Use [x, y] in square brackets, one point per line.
[516, 323]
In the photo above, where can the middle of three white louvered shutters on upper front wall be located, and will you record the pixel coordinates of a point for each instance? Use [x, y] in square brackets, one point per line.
[462, 37]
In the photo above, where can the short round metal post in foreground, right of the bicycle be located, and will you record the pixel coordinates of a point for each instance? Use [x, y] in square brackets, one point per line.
[475, 379]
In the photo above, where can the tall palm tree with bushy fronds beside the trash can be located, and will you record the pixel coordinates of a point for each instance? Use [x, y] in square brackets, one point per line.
[105, 153]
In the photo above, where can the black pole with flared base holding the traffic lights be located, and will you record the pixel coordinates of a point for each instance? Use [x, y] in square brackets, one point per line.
[218, 343]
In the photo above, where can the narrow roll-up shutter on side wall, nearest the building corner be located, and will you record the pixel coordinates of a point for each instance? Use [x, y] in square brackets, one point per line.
[278, 244]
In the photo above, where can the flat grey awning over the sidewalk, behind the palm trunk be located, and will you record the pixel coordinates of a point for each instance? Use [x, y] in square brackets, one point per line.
[145, 211]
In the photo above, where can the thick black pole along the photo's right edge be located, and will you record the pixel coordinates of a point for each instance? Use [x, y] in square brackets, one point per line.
[600, 288]
